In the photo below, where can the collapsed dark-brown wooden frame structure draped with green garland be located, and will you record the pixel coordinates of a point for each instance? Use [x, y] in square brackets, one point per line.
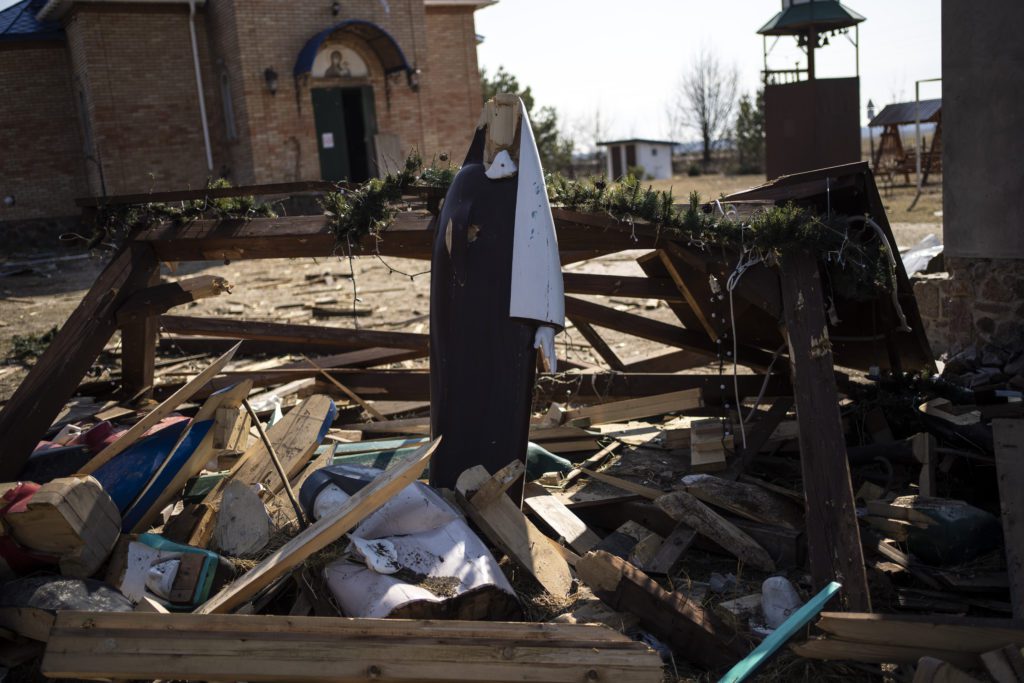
[682, 275]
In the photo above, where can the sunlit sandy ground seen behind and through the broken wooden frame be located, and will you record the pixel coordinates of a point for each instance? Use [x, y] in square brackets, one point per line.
[390, 294]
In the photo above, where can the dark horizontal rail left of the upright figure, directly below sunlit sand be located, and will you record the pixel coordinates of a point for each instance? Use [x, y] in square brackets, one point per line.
[292, 334]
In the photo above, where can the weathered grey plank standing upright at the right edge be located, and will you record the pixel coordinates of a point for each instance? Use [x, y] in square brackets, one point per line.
[1009, 446]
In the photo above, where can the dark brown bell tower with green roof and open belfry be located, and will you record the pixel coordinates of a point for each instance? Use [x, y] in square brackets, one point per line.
[812, 122]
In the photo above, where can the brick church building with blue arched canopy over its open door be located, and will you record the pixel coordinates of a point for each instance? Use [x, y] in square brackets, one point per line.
[109, 98]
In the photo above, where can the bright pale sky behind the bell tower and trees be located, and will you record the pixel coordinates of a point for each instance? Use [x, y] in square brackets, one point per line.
[625, 58]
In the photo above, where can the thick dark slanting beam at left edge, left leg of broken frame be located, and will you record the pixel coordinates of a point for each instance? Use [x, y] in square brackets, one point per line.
[54, 379]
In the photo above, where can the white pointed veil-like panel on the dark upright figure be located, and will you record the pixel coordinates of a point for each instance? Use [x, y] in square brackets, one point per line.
[538, 293]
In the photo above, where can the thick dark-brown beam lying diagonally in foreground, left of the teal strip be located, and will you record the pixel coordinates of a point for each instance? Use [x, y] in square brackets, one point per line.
[696, 633]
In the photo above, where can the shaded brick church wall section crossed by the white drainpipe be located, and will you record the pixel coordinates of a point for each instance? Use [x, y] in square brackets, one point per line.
[136, 65]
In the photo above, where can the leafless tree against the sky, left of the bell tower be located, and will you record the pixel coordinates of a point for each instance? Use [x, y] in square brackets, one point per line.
[704, 100]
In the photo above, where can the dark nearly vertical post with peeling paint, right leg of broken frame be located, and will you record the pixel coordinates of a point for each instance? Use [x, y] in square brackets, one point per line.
[833, 535]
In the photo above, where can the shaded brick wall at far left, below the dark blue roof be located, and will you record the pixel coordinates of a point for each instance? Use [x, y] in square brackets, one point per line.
[41, 162]
